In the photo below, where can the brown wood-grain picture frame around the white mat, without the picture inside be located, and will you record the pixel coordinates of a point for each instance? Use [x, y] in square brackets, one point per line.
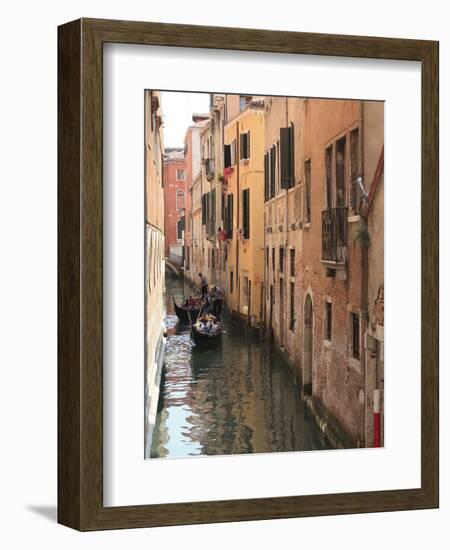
[80, 272]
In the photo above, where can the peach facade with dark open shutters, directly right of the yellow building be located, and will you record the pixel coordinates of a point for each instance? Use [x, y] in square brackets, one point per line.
[283, 218]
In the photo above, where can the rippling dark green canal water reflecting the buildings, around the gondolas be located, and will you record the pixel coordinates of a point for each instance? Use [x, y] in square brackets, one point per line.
[236, 398]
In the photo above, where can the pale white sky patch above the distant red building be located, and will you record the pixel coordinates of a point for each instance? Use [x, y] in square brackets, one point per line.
[177, 109]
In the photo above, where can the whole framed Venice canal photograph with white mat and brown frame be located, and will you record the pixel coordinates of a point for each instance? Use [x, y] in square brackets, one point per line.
[233, 207]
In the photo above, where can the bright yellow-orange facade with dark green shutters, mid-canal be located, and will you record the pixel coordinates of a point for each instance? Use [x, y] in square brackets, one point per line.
[243, 209]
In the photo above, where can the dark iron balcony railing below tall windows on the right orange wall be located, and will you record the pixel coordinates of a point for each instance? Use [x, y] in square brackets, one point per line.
[334, 234]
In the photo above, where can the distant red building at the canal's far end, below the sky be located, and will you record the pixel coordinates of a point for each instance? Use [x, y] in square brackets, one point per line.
[174, 205]
